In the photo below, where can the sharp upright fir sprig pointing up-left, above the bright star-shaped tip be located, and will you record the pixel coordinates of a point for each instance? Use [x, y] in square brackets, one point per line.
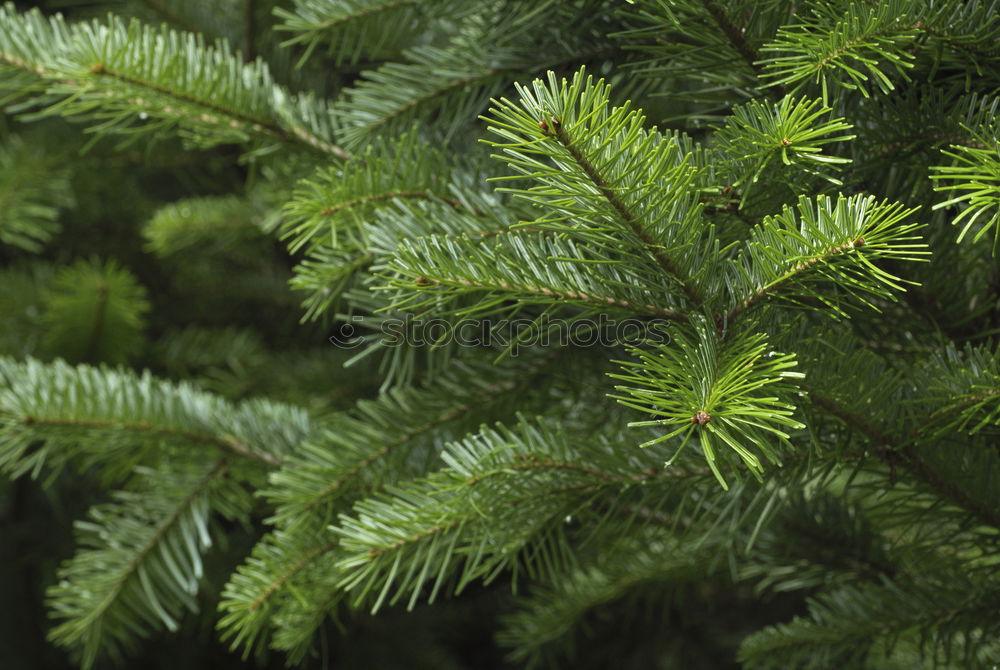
[609, 171]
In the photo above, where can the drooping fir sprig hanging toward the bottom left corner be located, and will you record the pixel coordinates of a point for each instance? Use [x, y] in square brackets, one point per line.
[142, 561]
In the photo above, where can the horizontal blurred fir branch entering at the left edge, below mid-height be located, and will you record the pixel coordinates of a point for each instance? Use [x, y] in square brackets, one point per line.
[54, 413]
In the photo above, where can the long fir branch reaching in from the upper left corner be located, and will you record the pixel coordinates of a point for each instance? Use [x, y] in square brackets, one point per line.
[114, 74]
